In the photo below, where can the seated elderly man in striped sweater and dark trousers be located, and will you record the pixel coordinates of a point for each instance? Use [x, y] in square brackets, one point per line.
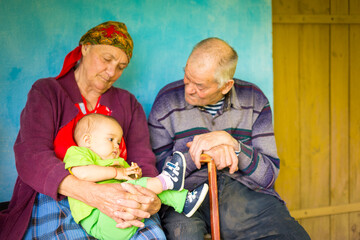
[230, 120]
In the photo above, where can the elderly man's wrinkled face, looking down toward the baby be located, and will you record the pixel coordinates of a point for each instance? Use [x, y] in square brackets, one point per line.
[201, 89]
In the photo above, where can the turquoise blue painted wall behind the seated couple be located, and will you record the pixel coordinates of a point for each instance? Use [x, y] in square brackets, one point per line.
[36, 35]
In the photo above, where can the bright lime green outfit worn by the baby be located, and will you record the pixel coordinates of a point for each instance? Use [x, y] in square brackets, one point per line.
[91, 219]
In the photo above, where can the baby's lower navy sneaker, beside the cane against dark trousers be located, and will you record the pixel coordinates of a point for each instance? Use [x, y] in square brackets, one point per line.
[194, 199]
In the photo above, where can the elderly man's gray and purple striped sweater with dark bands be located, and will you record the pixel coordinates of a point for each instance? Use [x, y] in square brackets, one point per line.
[246, 115]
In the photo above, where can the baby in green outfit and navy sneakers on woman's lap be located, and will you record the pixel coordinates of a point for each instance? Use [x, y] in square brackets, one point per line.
[97, 159]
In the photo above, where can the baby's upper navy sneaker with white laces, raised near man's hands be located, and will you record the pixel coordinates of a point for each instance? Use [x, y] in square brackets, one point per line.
[175, 169]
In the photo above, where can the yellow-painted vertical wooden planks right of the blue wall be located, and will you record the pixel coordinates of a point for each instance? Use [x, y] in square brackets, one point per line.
[316, 51]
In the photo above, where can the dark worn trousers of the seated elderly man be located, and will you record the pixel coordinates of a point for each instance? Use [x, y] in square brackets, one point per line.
[244, 214]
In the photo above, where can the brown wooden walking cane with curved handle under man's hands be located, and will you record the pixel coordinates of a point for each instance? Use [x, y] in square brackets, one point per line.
[214, 204]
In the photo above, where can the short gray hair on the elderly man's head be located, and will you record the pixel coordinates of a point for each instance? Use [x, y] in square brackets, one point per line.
[222, 54]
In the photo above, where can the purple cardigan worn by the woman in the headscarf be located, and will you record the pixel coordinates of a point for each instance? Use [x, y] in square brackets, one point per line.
[50, 106]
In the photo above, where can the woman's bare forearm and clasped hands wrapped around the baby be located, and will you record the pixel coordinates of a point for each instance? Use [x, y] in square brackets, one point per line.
[127, 204]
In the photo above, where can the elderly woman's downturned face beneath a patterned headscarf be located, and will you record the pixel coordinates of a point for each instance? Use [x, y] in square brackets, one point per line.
[101, 66]
